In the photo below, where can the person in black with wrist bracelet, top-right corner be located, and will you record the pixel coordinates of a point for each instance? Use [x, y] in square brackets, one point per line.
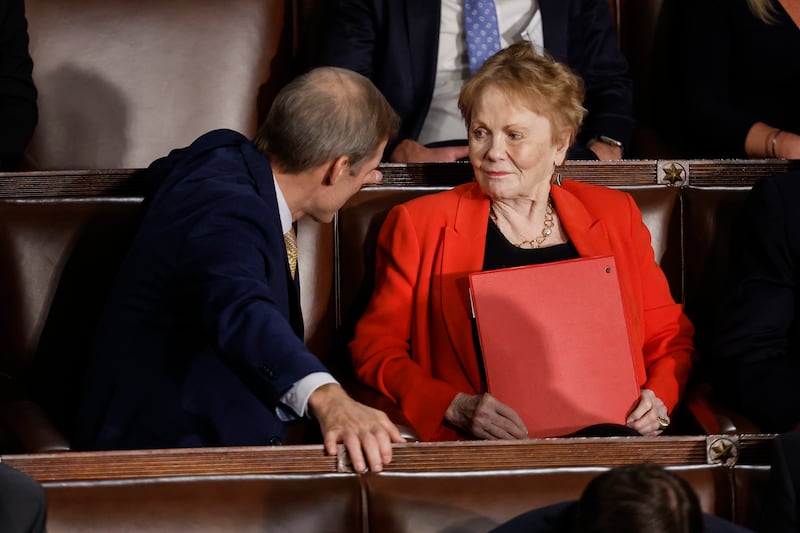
[743, 78]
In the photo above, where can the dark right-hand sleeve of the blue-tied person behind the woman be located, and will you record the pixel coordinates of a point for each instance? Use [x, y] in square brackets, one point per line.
[594, 55]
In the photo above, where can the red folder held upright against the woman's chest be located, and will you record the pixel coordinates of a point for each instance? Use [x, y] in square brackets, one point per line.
[555, 343]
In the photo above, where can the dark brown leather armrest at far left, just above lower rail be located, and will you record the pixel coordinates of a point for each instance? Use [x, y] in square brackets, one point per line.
[31, 427]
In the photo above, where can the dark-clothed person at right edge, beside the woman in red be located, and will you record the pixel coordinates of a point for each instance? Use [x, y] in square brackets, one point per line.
[756, 348]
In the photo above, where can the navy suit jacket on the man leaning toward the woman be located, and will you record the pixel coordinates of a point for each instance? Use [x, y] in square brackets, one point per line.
[203, 332]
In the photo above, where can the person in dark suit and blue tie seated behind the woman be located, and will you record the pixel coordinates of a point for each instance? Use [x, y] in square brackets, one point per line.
[413, 50]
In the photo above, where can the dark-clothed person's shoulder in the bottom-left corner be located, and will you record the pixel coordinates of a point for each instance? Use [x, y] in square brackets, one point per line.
[23, 502]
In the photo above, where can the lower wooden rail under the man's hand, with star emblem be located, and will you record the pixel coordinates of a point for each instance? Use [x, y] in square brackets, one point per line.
[468, 456]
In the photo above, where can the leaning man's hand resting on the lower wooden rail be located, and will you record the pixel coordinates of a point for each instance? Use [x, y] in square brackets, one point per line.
[364, 431]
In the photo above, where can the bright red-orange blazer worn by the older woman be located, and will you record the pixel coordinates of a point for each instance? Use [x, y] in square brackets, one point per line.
[414, 342]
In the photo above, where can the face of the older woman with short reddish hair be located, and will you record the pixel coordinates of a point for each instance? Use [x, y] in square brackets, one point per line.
[511, 147]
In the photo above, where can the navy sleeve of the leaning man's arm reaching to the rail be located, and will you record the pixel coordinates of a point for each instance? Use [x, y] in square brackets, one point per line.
[235, 279]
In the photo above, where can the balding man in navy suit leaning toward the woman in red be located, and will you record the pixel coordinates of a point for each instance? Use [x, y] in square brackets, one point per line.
[201, 342]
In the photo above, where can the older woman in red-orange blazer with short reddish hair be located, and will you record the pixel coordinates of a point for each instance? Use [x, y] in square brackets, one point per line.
[415, 341]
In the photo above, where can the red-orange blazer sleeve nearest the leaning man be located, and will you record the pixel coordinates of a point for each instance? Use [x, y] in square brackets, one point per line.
[381, 346]
